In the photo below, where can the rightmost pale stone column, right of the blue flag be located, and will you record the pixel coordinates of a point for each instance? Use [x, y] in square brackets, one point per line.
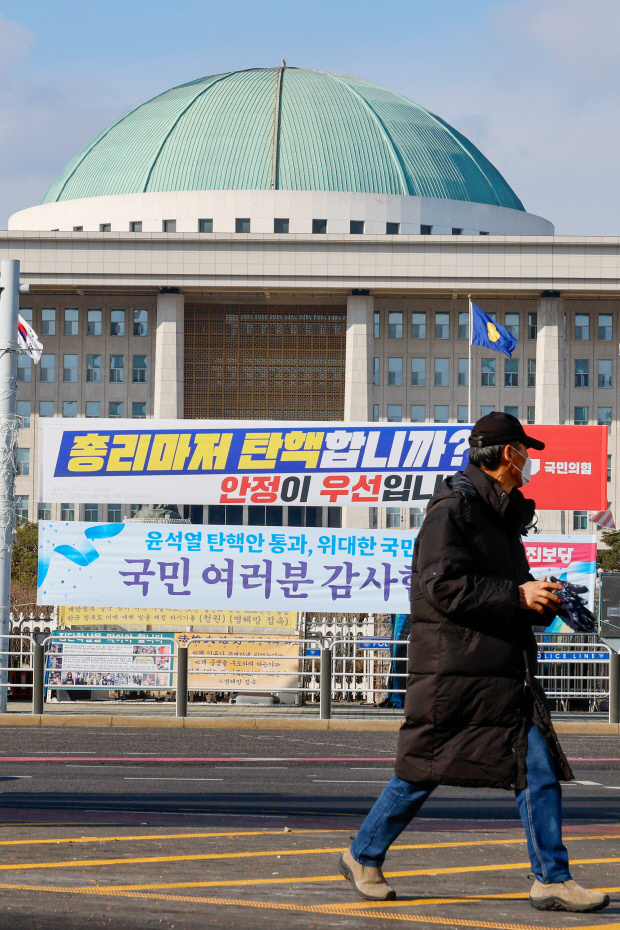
[550, 377]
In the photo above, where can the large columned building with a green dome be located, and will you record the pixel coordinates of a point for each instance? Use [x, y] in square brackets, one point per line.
[288, 244]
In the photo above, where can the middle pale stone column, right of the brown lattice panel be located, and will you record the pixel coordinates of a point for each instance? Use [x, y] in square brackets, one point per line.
[357, 394]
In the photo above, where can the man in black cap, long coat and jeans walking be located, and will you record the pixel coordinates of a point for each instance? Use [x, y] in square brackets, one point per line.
[475, 715]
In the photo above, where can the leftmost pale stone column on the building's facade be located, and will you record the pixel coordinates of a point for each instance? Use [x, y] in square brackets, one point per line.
[169, 357]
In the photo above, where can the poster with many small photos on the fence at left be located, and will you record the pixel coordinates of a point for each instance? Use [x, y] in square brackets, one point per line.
[133, 661]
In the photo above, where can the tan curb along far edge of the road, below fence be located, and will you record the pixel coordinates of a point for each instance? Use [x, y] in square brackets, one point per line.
[251, 723]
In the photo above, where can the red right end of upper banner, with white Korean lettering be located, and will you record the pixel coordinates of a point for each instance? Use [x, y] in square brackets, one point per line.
[571, 471]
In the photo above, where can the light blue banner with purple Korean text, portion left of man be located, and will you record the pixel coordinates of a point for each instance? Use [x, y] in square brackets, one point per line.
[221, 567]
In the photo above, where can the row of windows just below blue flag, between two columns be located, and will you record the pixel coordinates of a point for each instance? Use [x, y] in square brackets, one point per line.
[441, 372]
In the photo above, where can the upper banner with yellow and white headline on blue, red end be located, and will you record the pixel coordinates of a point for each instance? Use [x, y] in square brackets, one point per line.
[318, 464]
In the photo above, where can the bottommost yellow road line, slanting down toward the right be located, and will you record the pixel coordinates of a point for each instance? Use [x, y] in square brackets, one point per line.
[305, 908]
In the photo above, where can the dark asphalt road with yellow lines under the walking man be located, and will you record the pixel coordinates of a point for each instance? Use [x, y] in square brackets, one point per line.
[140, 828]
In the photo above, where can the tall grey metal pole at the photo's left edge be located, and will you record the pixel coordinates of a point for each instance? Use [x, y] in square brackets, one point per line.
[9, 309]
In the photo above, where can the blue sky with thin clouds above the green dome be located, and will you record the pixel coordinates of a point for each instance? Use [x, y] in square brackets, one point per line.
[534, 83]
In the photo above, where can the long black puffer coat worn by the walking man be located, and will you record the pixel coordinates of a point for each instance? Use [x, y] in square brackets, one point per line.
[472, 655]
